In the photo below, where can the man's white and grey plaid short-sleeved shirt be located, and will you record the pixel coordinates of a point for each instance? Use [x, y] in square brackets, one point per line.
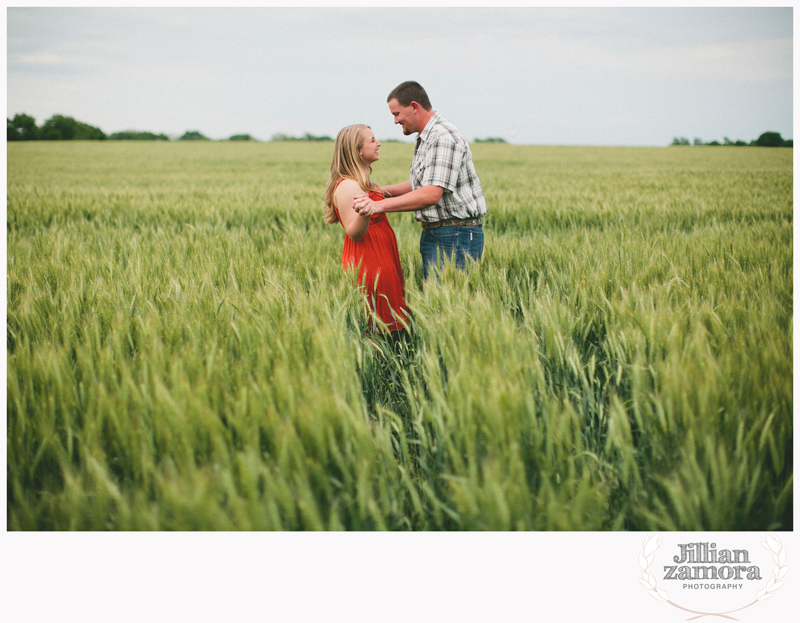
[442, 158]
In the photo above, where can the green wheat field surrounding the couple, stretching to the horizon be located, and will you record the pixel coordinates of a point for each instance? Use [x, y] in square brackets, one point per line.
[184, 351]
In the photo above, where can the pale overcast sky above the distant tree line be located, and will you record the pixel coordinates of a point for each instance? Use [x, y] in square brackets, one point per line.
[531, 75]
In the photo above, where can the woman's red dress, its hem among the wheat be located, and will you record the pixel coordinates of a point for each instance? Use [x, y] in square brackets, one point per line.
[380, 273]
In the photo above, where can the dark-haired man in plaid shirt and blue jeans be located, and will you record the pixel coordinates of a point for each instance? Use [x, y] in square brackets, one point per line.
[443, 190]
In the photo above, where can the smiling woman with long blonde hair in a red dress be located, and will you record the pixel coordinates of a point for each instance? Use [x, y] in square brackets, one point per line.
[369, 241]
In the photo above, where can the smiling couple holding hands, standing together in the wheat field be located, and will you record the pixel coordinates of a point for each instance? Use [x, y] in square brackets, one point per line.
[443, 190]
